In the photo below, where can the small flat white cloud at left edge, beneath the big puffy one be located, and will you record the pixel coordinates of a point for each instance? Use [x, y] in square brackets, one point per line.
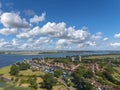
[8, 31]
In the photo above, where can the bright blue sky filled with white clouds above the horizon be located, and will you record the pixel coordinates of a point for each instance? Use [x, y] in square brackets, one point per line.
[60, 25]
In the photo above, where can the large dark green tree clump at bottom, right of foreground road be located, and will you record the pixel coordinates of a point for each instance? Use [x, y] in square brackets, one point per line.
[79, 79]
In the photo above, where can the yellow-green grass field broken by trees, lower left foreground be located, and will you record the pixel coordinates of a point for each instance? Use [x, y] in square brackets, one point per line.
[25, 75]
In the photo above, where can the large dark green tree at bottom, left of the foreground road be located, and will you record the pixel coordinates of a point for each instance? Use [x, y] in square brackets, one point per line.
[48, 81]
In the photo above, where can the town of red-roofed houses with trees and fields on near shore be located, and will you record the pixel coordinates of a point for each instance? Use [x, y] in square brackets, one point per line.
[73, 72]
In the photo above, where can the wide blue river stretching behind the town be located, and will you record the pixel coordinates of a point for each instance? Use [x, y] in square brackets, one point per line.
[8, 59]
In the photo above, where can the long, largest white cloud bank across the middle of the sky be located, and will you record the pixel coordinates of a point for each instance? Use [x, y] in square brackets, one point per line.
[58, 30]
